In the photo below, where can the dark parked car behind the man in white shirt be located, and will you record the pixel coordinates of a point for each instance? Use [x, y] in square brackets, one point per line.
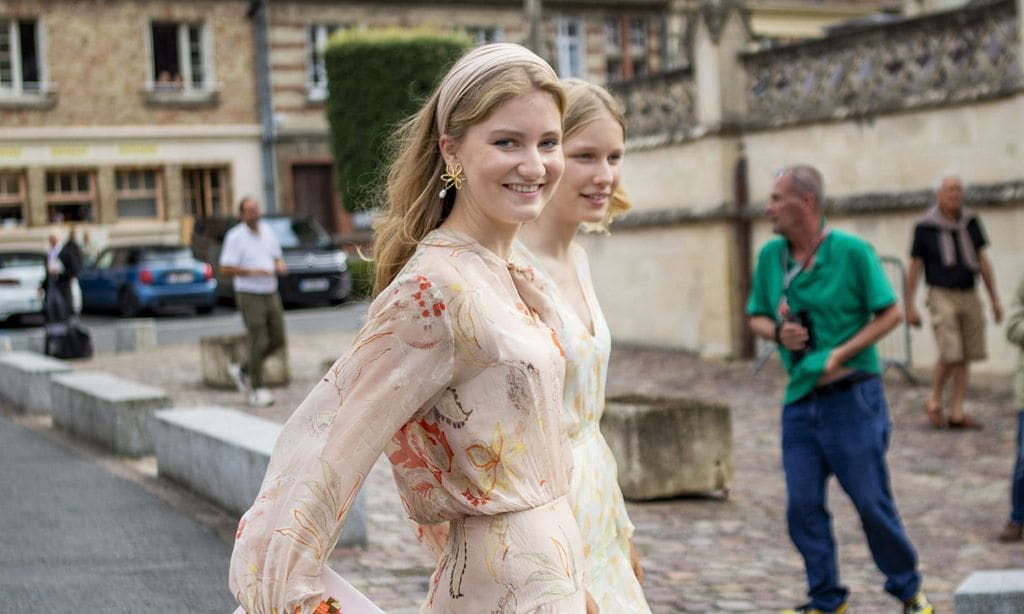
[318, 272]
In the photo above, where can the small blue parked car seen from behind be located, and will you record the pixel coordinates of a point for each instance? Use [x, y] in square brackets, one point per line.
[136, 279]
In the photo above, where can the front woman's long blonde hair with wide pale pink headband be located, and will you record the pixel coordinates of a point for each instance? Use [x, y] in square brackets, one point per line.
[412, 208]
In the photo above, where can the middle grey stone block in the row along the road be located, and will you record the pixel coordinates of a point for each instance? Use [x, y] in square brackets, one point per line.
[107, 410]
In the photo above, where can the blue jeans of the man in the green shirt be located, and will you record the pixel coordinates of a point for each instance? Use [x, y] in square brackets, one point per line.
[845, 434]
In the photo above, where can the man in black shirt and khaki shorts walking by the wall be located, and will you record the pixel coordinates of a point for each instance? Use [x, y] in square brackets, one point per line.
[950, 247]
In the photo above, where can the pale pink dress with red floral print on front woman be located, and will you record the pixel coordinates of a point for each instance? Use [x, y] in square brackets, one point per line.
[458, 380]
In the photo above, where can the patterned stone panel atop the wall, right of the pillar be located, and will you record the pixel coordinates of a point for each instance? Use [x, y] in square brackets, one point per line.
[969, 55]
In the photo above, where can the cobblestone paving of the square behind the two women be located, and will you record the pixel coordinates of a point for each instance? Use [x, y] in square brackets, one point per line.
[705, 555]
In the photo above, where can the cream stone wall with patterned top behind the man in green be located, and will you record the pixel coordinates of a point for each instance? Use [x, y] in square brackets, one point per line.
[882, 111]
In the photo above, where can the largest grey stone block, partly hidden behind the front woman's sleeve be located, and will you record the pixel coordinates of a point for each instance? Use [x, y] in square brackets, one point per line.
[224, 455]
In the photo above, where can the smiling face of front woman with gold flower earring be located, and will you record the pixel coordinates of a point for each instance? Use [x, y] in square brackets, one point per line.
[511, 162]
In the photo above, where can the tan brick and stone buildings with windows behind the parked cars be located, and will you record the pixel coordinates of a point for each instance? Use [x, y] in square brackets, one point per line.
[187, 108]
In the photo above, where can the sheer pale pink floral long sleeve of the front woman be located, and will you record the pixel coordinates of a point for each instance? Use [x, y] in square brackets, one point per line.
[401, 362]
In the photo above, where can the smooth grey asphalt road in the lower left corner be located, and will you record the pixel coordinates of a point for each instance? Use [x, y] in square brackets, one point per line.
[77, 539]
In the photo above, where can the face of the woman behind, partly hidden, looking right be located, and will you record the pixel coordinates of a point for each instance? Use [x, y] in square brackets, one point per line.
[593, 167]
